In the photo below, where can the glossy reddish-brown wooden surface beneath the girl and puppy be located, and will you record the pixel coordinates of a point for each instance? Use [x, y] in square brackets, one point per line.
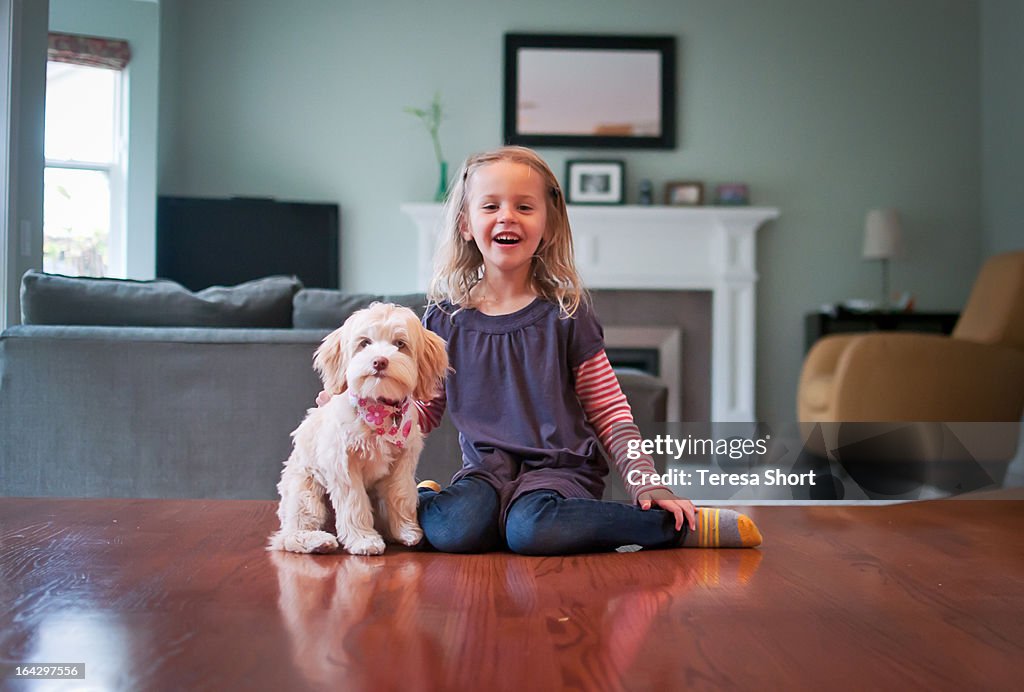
[175, 595]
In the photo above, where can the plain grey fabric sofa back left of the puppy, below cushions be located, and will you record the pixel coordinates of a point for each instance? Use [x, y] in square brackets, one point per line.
[151, 412]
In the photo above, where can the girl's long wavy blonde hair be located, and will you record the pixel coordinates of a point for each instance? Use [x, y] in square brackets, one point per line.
[459, 265]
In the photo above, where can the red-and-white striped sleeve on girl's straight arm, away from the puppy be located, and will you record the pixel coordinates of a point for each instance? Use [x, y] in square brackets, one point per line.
[609, 412]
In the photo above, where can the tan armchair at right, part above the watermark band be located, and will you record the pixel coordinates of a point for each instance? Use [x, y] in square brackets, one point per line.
[977, 374]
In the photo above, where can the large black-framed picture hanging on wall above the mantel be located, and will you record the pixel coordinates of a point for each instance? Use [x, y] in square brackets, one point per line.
[585, 91]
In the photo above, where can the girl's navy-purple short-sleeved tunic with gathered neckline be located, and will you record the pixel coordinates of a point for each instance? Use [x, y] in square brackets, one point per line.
[513, 398]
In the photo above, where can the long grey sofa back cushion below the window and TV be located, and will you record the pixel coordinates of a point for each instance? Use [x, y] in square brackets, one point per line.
[54, 299]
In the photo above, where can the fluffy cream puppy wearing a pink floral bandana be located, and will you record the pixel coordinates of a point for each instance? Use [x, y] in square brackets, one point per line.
[361, 448]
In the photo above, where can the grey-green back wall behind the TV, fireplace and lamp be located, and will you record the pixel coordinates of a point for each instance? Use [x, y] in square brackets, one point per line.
[825, 108]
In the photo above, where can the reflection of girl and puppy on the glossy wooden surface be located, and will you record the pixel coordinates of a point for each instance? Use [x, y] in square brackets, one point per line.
[446, 621]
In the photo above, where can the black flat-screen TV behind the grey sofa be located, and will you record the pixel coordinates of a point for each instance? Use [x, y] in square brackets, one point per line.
[203, 242]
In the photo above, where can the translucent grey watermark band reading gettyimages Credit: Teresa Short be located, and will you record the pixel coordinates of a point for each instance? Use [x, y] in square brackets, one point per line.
[824, 462]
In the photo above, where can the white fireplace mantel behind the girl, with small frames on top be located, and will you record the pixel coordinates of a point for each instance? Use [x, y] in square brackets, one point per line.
[671, 249]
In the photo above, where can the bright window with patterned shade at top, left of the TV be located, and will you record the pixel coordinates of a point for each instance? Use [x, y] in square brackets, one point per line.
[84, 179]
